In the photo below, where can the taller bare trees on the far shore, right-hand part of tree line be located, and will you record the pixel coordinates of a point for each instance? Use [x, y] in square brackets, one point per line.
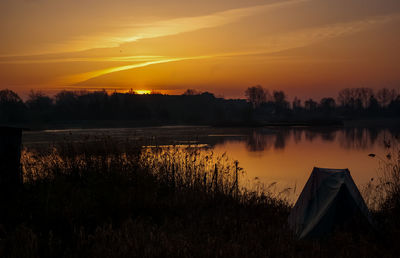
[350, 103]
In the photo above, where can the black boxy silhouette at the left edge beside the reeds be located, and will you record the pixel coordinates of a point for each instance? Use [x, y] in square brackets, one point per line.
[10, 157]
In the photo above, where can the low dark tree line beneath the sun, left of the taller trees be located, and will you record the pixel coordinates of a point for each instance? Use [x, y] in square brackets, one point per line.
[191, 107]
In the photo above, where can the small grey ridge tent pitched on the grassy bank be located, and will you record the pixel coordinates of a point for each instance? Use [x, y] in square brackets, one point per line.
[330, 199]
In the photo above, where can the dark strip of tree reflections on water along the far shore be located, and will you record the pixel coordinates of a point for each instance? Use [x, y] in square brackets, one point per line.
[256, 139]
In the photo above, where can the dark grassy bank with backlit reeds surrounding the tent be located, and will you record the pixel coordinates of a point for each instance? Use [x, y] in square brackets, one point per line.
[109, 199]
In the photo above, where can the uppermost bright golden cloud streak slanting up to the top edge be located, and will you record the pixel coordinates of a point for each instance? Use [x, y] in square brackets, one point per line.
[137, 31]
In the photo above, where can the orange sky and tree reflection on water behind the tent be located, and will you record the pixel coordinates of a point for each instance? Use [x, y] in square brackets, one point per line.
[285, 157]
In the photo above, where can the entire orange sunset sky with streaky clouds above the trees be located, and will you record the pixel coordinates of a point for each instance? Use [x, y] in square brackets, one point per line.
[304, 47]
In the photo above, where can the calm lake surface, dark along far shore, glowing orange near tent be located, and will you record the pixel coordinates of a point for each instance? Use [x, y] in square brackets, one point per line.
[282, 157]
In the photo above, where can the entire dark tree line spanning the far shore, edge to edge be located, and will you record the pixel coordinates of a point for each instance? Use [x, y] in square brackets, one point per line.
[193, 107]
